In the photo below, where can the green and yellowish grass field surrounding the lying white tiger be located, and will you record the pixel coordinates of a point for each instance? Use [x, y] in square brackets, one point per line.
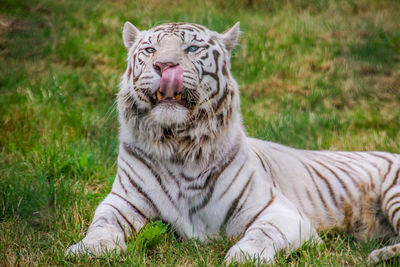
[313, 74]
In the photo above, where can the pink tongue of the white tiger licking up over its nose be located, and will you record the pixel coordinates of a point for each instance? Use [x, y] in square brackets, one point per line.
[171, 81]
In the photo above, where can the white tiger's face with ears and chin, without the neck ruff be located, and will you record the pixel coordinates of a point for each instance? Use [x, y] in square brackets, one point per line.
[175, 69]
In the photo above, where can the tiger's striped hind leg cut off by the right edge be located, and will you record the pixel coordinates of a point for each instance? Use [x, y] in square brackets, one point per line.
[390, 197]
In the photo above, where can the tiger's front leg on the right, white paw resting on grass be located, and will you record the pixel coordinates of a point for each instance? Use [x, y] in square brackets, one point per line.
[278, 227]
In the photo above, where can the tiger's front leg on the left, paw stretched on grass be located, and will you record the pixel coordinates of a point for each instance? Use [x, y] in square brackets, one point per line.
[112, 223]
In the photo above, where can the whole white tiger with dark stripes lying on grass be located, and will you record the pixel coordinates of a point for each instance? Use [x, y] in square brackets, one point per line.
[184, 158]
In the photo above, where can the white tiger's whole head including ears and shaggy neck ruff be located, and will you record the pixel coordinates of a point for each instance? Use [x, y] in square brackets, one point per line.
[177, 95]
